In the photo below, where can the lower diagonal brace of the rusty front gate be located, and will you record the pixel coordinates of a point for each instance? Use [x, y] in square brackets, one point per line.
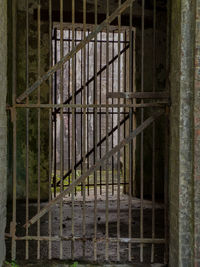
[95, 167]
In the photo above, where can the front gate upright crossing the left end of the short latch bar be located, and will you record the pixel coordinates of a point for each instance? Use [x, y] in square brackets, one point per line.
[107, 140]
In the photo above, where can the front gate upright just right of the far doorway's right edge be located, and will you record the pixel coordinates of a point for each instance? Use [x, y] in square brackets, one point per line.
[142, 139]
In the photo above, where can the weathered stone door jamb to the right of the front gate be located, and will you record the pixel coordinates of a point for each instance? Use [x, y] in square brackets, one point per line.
[181, 141]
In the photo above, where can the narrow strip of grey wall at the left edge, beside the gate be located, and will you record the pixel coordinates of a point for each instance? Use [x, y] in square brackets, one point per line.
[3, 128]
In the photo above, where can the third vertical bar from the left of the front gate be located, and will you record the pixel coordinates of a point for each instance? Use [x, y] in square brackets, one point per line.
[39, 125]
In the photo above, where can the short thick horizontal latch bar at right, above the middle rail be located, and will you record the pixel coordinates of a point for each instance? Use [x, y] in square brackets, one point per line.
[139, 95]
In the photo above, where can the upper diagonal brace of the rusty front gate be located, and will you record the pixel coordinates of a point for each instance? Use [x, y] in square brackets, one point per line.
[70, 55]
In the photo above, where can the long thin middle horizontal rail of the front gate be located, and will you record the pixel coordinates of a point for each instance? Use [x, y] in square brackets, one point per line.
[157, 104]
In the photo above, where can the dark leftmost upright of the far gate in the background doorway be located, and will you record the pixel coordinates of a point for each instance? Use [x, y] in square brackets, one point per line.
[55, 114]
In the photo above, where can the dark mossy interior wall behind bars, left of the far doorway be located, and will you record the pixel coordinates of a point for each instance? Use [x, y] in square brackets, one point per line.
[21, 82]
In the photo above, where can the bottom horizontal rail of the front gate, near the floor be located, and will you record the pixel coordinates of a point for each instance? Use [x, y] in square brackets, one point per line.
[76, 238]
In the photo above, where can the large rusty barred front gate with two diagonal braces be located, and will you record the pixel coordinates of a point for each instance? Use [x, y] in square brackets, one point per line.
[93, 108]
